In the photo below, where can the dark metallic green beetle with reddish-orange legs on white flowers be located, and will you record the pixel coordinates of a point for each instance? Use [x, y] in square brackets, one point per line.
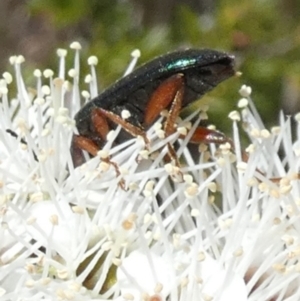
[171, 81]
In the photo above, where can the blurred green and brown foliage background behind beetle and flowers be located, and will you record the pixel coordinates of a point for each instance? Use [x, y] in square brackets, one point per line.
[263, 34]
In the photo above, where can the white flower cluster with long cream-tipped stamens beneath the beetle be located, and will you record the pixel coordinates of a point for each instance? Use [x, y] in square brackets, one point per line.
[223, 227]
